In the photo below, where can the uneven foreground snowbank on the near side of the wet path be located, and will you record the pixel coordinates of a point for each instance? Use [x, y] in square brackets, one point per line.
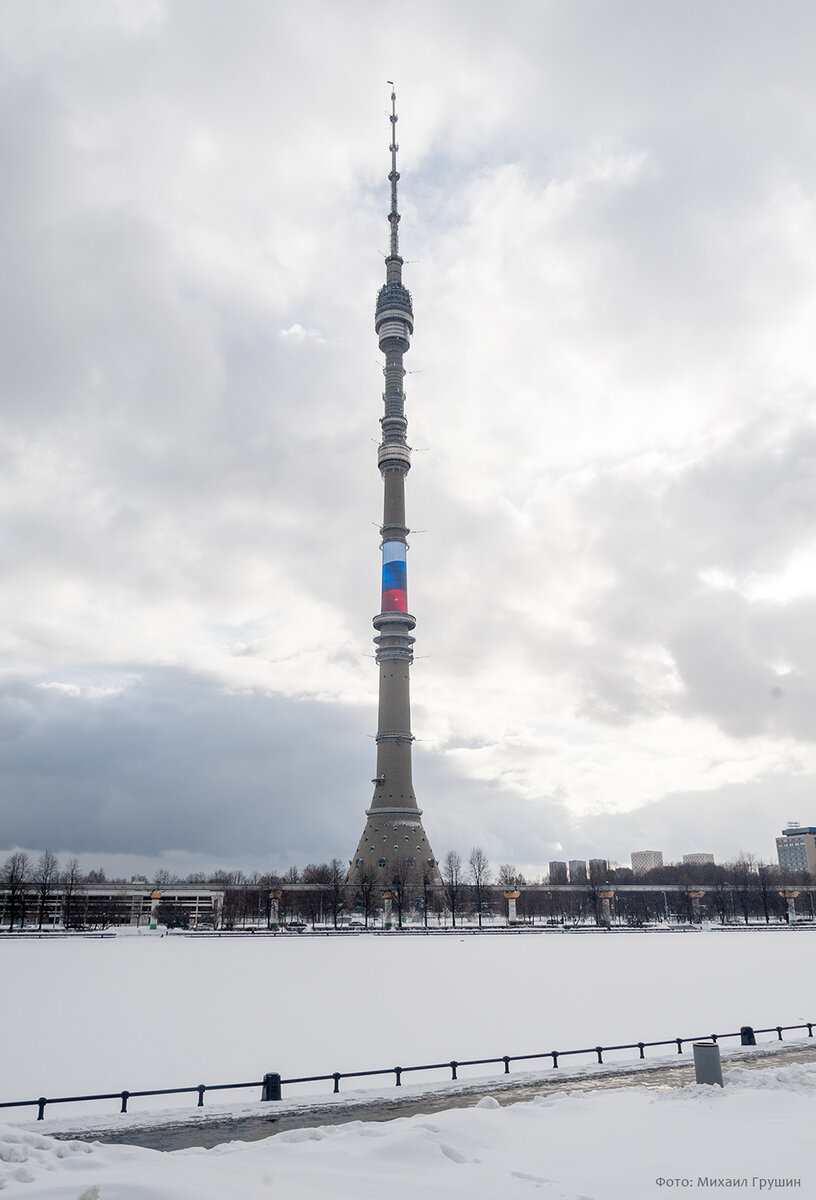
[753, 1137]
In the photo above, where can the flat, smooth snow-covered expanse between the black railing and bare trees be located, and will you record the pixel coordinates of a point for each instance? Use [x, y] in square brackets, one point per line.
[100, 1016]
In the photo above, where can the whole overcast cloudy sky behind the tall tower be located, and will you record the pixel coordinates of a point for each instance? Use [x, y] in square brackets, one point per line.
[610, 235]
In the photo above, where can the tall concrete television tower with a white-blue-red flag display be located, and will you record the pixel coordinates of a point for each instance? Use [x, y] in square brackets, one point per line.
[394, 842]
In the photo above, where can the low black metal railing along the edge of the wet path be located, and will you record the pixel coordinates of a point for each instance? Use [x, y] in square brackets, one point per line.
[273, 1083]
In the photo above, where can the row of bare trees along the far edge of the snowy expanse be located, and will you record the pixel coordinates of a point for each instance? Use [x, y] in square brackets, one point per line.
[470, 890]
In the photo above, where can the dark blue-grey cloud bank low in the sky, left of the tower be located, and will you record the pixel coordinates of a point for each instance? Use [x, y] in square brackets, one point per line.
[172, 764]
